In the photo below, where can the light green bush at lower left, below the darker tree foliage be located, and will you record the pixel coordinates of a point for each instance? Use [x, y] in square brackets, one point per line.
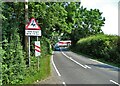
[13, 64]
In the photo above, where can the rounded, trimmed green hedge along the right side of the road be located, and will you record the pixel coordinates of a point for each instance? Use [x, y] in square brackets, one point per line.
[104, 47]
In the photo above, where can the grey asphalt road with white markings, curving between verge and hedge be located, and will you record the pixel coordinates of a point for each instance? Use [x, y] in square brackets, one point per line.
[76, 69]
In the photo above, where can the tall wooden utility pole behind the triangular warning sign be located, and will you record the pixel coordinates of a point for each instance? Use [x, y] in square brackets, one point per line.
[26, 22]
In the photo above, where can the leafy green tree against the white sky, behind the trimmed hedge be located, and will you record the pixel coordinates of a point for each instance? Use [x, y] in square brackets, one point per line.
[83, 22]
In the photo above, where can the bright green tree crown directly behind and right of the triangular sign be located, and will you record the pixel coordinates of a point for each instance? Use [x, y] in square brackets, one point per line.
[51, 17]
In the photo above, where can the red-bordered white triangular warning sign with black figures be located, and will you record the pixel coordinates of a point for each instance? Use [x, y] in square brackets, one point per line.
[33, 25]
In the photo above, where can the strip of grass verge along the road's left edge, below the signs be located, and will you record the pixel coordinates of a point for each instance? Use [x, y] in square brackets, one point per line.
[33, 74]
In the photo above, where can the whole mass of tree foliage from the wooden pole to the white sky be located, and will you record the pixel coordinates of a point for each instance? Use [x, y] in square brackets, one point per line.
[66, 20]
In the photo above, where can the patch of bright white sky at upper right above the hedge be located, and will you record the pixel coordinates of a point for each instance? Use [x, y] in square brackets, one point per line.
[110, 12]
